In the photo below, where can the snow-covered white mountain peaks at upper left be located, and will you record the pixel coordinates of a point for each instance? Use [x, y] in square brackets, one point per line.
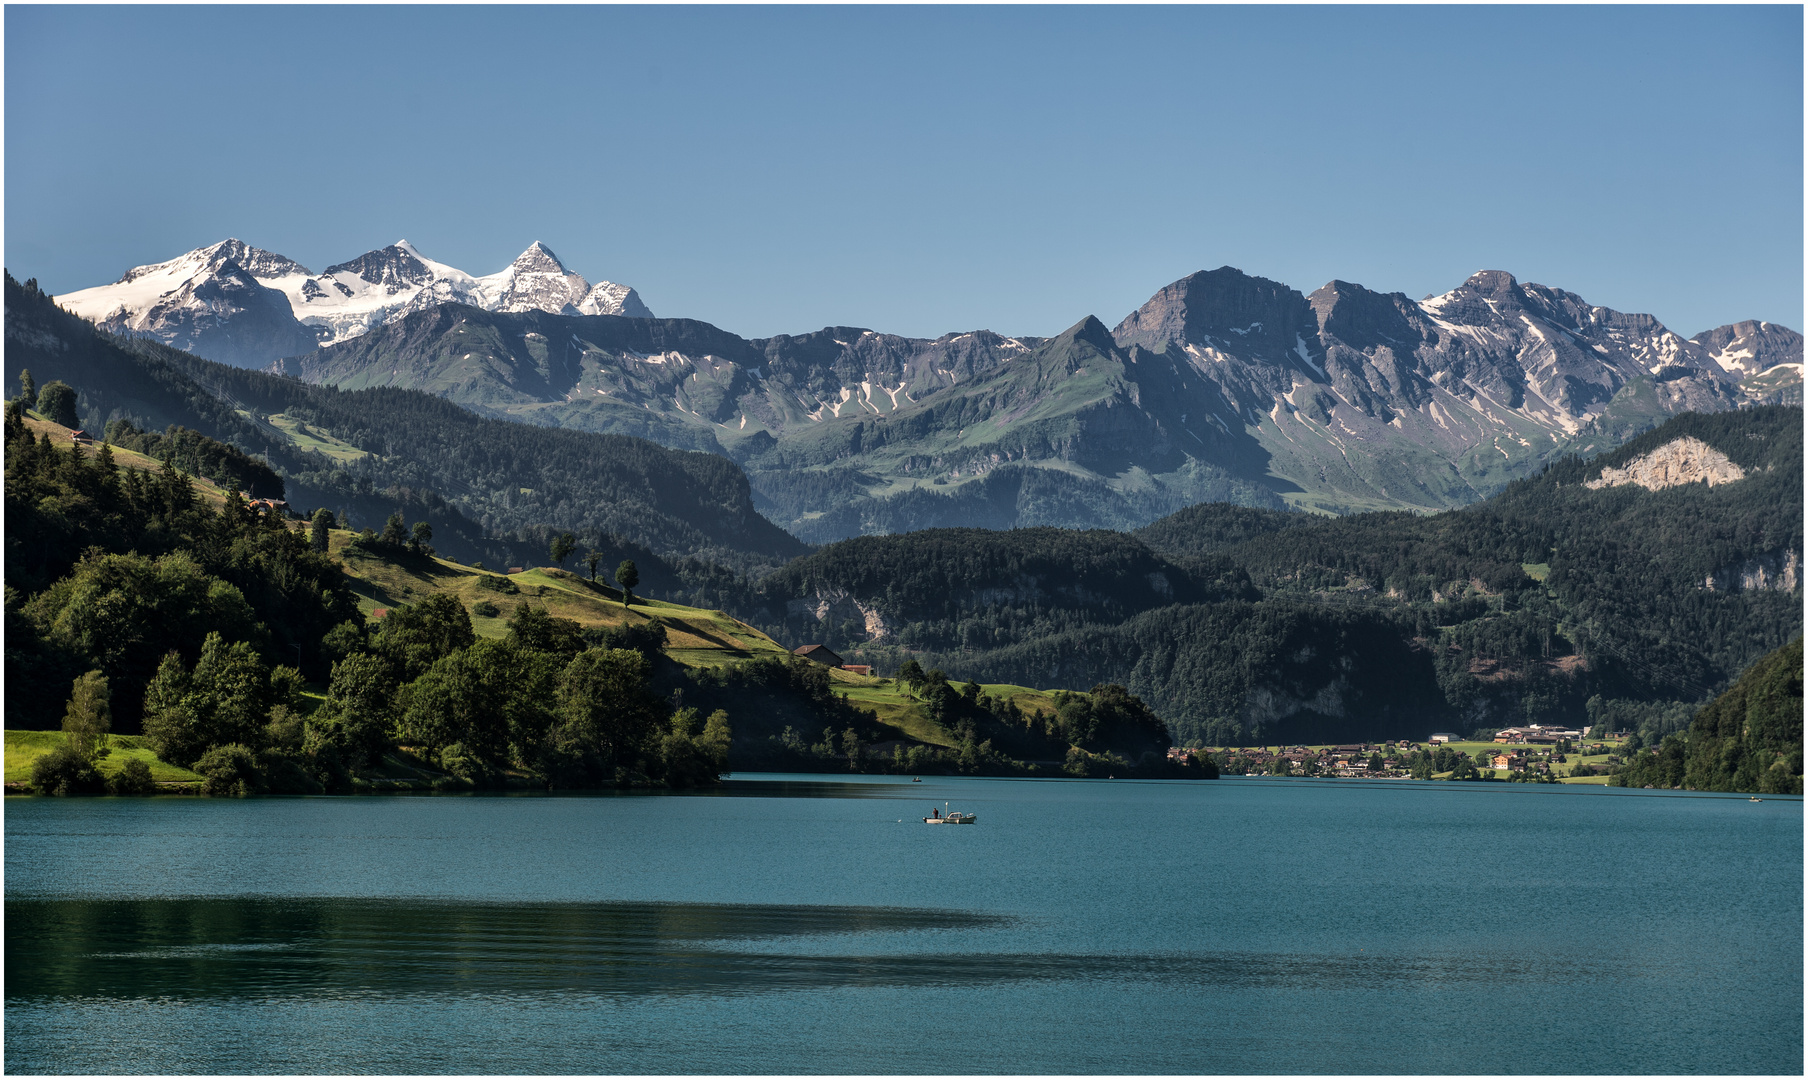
[249, 307]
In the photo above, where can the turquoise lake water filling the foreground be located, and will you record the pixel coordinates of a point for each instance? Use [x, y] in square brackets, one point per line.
[813, 925]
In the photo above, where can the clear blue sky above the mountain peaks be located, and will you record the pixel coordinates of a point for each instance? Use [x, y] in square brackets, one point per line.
[930, 169]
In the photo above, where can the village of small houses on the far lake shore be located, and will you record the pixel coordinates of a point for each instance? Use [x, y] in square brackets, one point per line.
[1527, 755]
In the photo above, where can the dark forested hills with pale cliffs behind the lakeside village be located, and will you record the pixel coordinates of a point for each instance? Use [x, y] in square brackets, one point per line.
[1558, 600]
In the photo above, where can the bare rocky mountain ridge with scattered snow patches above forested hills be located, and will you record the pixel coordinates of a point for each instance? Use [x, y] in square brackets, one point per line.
[1223, 386]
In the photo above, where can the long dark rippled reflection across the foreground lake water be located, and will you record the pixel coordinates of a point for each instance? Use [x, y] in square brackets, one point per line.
[256, 949]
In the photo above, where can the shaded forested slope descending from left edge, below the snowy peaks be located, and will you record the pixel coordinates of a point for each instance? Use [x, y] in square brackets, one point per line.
[491, 489]
